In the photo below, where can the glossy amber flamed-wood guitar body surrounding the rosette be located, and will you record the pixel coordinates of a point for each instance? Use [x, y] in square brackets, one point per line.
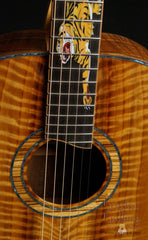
[121, 113]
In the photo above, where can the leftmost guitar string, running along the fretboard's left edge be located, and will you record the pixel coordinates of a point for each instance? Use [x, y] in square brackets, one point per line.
[49, 86]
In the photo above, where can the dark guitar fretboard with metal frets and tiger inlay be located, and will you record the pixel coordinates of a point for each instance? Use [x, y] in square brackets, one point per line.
[73, 65]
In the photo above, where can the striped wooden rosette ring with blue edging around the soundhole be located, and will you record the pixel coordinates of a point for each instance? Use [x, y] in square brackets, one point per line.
[79, 204]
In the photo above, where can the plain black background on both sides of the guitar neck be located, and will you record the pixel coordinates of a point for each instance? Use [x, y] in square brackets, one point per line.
[125, 17]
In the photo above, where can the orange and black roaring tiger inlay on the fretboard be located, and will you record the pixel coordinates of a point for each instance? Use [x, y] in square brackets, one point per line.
[83, 31]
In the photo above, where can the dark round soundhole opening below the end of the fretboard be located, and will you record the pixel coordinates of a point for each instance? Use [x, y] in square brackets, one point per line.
[73, 174]
